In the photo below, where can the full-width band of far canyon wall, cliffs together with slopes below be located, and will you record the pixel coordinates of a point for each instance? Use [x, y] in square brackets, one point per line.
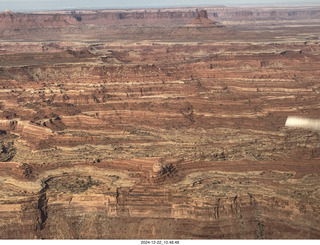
[152, 24]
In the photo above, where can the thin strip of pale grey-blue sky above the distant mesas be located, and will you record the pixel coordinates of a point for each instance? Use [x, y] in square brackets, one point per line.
[31, 5]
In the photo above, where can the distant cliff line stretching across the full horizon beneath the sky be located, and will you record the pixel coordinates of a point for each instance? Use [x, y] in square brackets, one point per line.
[154, 17]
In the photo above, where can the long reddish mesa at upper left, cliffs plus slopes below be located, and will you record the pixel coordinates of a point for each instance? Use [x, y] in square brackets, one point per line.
[122, 24]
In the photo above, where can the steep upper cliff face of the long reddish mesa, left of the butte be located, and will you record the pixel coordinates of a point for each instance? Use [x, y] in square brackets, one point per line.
[100, 18]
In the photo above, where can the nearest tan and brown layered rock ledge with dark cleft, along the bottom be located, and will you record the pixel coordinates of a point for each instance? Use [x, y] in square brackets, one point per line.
[120, 200]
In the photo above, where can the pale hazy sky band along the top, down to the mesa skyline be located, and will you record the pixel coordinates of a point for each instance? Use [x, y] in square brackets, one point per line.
[60, 5]
